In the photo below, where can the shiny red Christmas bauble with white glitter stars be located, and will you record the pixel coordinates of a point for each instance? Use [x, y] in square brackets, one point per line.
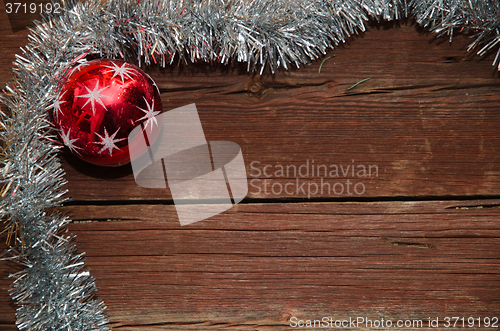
[101, 102]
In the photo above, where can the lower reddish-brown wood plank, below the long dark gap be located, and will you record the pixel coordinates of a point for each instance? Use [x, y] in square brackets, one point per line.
[258, 265]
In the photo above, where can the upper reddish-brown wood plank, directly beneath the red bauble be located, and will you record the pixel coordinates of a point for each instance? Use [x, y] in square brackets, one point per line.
[427, 120]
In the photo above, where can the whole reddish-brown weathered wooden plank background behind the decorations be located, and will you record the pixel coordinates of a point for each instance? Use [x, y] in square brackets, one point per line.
[422, 241]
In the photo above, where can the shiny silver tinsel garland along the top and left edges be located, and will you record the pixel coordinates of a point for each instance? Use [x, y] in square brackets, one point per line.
[54, 291]
